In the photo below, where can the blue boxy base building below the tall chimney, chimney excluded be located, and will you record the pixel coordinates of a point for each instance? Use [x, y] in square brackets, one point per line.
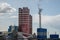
[41, 34]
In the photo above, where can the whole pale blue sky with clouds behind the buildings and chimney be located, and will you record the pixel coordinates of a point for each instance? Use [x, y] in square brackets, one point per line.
[50, 14]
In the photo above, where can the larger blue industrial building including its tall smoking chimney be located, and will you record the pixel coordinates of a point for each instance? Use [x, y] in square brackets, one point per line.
[41, 32]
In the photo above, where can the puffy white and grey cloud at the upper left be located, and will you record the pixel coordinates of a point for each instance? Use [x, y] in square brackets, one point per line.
[6, 8]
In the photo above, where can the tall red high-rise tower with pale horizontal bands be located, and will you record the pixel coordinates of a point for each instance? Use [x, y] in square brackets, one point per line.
[25, 20]
